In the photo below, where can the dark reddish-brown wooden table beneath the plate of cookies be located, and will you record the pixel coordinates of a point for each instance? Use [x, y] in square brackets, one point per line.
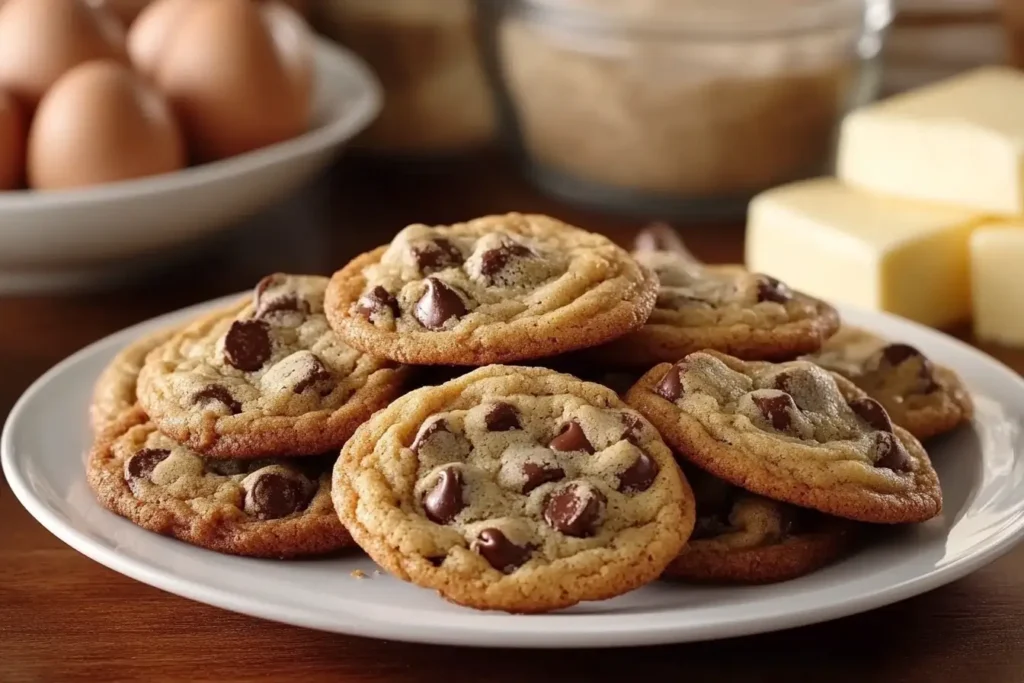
[64, 618]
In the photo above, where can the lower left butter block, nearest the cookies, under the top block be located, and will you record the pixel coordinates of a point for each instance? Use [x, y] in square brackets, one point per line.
[844, 245]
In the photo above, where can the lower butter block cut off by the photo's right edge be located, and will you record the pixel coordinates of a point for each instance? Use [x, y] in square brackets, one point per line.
[998, 283]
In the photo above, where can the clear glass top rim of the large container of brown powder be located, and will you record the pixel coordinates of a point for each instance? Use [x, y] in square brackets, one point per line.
[703, 19]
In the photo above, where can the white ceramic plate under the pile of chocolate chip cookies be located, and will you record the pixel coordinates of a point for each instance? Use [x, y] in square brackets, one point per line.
[982, 468]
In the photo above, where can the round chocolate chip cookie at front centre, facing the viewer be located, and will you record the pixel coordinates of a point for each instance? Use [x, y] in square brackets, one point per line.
[515, 489]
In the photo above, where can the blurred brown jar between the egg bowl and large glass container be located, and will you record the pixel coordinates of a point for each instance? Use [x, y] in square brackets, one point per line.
[437, 99]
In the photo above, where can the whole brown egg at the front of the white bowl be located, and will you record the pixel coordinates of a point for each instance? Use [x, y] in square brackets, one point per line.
[102, 122]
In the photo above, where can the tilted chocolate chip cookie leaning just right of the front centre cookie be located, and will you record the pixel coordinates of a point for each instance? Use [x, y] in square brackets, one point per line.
[792, 433]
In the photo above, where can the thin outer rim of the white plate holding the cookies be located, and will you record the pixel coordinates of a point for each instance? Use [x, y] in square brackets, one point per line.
[999, 543]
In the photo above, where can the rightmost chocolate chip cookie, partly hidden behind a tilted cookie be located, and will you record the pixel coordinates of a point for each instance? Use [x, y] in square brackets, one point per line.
[924, 399]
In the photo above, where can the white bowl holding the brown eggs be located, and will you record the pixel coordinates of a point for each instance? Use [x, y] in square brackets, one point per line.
[67, 239]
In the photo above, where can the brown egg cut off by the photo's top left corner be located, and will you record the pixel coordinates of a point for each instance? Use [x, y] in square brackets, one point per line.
[40, 40]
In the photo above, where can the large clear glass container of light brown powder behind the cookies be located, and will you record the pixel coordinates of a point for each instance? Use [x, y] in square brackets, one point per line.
[678, 108]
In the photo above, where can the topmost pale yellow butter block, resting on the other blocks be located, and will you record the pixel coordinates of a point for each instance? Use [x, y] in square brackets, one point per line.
[959, 142]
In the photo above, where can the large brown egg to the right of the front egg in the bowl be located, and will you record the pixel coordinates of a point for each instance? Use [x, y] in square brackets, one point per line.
[234, 88]
